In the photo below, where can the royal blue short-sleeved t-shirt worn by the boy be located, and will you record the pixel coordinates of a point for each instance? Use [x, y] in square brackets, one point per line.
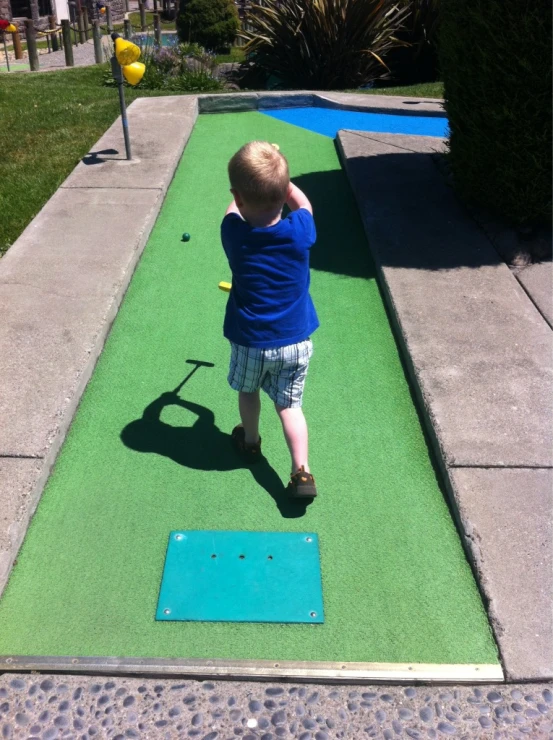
[269, 305]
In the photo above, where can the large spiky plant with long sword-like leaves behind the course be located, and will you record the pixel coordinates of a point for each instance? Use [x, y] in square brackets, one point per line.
[322, 44]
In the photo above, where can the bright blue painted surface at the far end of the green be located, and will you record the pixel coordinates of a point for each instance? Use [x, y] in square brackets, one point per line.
[328, 121]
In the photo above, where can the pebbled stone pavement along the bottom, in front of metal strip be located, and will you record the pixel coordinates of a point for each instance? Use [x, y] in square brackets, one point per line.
[50, 707]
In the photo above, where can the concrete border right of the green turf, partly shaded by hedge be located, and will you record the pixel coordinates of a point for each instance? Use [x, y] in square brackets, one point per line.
[478, 353]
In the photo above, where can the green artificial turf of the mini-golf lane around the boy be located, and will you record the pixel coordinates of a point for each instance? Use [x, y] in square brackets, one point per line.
[140, 461]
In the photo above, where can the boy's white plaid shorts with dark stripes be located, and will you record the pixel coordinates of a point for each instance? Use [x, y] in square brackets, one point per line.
[280, 372]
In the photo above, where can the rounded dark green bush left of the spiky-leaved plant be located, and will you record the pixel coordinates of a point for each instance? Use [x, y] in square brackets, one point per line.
[211, 23]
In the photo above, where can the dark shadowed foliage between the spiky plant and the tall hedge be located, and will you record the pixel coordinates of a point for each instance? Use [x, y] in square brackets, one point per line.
[417, 60]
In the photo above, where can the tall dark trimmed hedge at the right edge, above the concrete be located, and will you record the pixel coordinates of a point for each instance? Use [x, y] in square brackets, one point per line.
[495, 58]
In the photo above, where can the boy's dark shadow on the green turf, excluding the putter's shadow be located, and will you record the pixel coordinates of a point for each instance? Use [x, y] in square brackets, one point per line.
[203, 446]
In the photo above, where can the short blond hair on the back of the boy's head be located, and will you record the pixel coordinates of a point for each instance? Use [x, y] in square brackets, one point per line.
[259, 173]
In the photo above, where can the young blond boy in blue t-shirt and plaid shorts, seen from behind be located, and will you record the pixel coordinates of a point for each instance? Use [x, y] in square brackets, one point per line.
[270, 315]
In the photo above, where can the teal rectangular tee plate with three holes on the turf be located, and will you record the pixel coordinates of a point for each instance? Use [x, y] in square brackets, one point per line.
[213, 576]
